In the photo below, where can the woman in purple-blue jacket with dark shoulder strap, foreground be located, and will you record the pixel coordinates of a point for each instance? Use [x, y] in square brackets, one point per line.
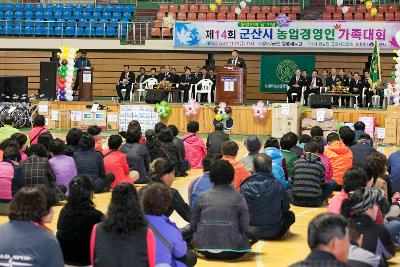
[171, 248]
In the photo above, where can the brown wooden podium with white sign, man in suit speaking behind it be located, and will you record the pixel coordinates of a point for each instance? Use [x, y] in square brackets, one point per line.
[231, 84]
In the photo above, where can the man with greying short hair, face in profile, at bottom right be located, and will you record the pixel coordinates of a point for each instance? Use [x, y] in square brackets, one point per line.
[329, 241]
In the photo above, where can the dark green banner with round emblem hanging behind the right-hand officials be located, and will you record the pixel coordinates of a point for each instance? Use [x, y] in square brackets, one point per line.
[276, 71]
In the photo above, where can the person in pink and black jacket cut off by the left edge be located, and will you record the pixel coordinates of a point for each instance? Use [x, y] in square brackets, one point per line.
[12, 177]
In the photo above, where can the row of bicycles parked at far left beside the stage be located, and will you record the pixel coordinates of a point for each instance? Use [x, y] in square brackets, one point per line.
[19, 108]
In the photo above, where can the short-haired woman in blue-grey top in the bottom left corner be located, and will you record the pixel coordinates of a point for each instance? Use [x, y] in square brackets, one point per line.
[23, 235]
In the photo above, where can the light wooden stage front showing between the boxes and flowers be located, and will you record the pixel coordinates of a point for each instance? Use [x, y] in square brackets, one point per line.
[244, 123]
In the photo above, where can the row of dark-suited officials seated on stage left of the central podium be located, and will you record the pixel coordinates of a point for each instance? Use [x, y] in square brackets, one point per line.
[183, 82]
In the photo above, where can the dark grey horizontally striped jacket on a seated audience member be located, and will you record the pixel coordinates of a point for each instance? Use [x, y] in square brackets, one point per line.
[308, 177]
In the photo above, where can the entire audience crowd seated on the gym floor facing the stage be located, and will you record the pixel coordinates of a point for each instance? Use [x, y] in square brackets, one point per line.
[228, 199]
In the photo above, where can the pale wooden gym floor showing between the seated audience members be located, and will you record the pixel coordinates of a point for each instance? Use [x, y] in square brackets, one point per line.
[264, 253]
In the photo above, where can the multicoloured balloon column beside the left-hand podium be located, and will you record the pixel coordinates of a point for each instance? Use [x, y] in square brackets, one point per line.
[66, 73]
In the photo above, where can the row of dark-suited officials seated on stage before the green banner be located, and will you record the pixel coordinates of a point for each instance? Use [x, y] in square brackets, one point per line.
[354, 81]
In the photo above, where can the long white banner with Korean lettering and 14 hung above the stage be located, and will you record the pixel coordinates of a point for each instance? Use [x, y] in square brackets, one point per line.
[315, 34]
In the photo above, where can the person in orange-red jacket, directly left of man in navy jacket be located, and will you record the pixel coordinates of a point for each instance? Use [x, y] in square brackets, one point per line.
[229, 151]
